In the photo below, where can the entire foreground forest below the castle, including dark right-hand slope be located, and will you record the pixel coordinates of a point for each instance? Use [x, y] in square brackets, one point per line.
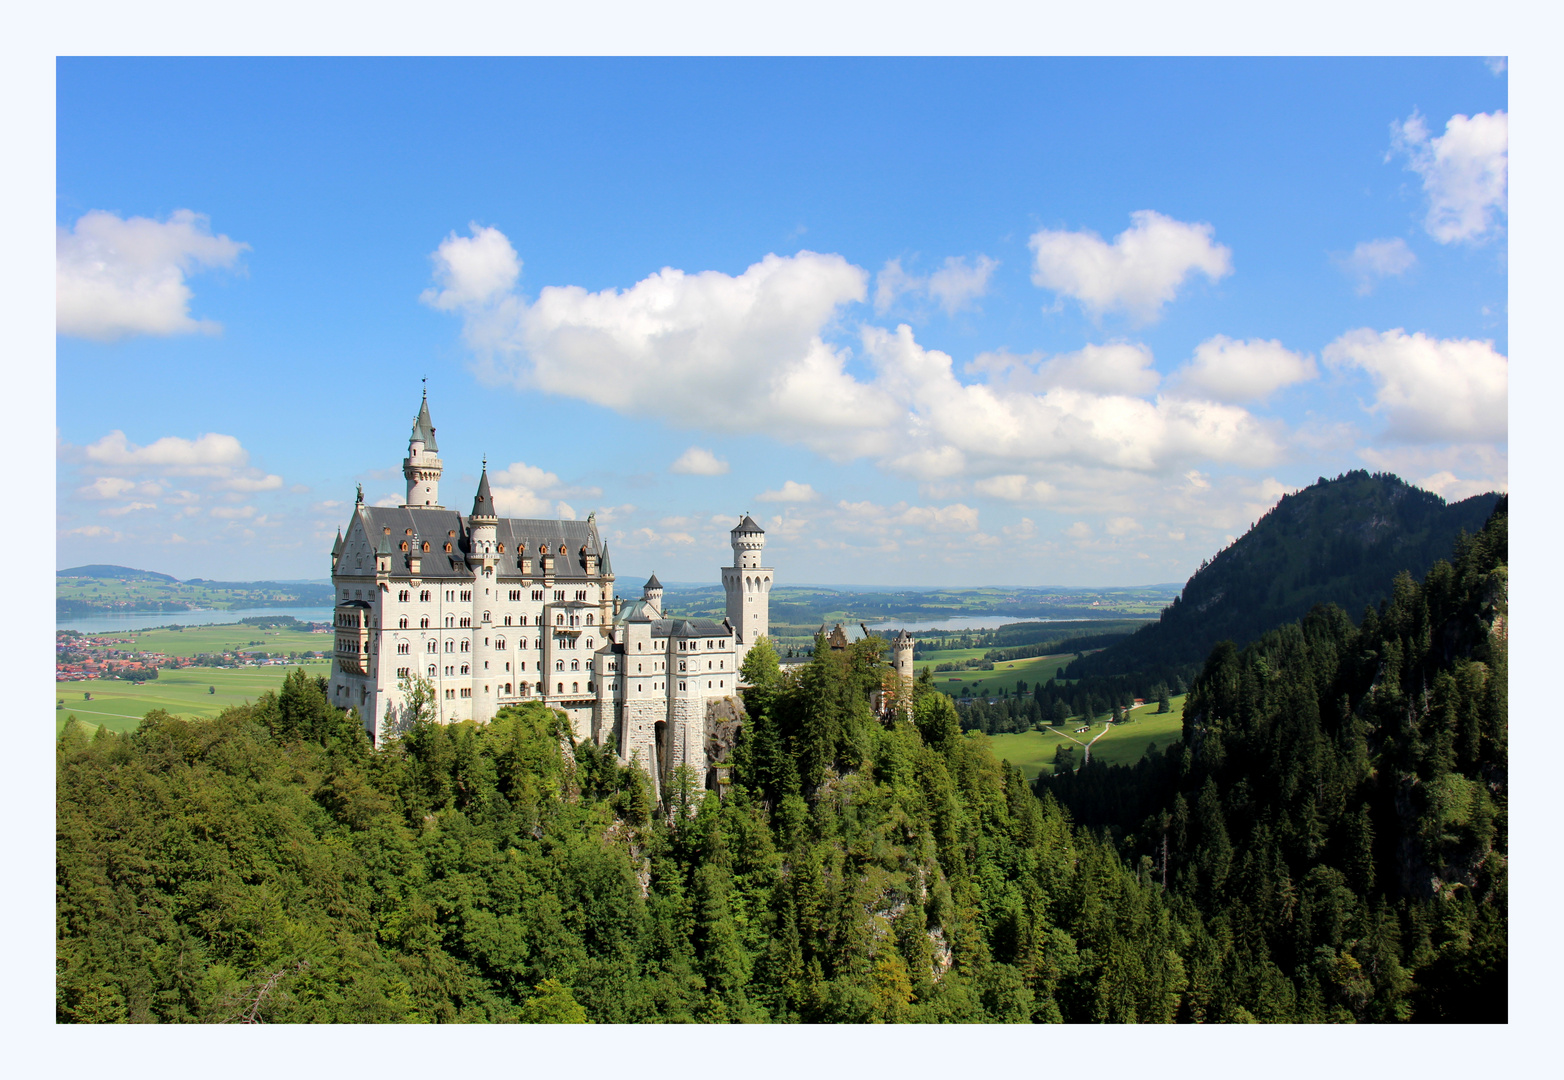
[1325, 845]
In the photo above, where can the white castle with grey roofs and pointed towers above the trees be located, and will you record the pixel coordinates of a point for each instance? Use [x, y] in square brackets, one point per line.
[504, 610]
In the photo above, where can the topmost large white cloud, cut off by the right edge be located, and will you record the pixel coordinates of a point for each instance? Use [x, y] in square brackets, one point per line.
[1466, 173]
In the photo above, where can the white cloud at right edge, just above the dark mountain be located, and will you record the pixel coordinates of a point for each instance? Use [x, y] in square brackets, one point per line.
[1430, 390]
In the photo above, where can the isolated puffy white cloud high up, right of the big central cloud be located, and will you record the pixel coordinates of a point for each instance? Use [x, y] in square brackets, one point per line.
[1139, 273]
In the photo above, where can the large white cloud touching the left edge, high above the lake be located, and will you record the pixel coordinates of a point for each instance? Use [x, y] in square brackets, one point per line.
[117, 277]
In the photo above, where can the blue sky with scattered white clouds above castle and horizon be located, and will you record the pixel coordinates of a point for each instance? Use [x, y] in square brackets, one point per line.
[931, 323]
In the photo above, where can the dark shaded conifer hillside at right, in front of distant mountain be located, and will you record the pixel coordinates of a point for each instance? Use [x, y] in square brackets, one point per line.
[1338, 810]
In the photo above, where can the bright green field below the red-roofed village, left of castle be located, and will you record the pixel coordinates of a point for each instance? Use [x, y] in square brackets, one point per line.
[120, 706]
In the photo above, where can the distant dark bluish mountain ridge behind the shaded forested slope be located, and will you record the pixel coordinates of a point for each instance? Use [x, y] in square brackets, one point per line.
[1338, 542]
